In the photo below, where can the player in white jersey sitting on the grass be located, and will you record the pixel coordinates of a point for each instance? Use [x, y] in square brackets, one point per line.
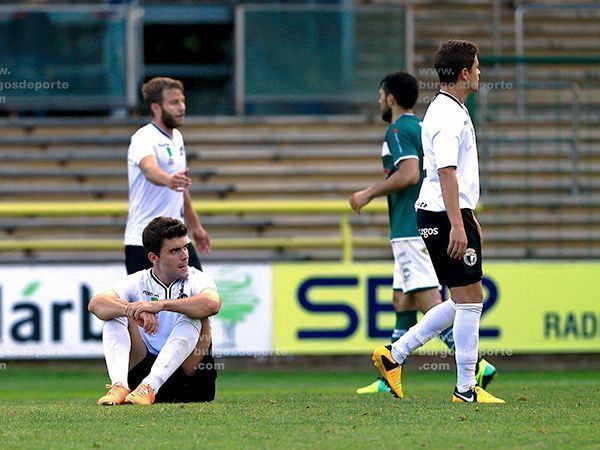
[156, 334]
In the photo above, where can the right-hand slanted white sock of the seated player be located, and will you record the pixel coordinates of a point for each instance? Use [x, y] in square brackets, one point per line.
[179, 346]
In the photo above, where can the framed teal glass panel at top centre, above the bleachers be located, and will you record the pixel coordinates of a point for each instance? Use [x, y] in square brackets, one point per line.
[314, 58]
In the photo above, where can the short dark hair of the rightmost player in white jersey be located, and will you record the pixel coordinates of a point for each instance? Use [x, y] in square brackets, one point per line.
[453, 56]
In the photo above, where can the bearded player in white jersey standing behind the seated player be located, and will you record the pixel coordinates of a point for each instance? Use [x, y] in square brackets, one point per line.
[158, 174]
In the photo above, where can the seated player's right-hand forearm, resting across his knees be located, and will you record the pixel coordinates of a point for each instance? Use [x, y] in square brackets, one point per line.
[205, 304]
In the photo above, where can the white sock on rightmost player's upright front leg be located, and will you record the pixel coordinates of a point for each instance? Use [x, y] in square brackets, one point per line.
[466, 340]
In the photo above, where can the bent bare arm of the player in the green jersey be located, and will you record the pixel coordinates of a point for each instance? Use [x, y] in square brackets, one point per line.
[407, 175]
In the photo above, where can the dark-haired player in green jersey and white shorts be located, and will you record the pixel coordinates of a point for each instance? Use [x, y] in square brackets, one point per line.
[415, 284]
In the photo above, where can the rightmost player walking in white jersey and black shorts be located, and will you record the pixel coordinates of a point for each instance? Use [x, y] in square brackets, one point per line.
[446, 221]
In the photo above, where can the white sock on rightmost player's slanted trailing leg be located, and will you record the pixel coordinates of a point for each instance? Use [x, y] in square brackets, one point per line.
[436, 320]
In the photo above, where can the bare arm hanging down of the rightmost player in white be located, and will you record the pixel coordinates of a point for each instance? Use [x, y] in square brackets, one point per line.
[457, 245]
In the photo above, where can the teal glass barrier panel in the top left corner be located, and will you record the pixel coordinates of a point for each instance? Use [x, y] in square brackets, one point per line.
[81, 57]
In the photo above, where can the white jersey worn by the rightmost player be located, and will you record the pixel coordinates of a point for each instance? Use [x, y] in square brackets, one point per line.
[448, 140]
